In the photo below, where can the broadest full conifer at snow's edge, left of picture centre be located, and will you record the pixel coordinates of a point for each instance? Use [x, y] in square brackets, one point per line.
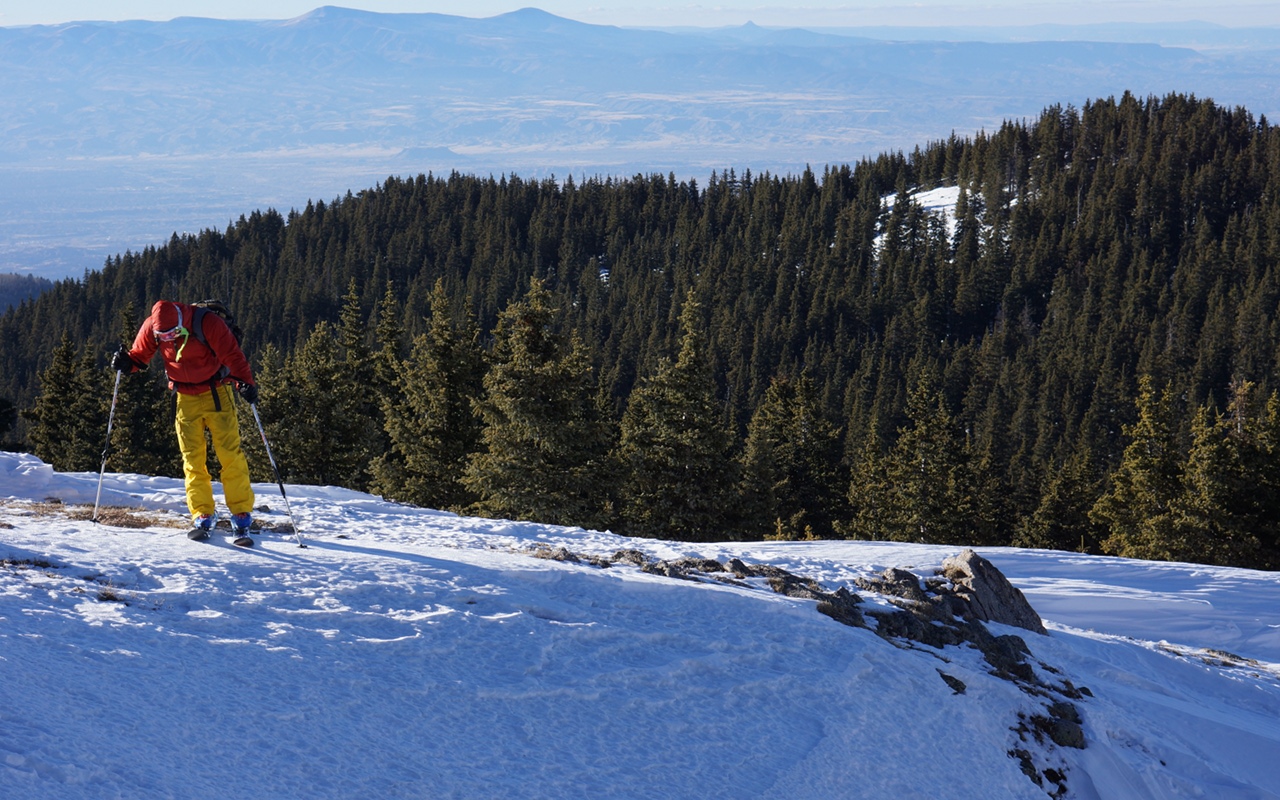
[545, 444]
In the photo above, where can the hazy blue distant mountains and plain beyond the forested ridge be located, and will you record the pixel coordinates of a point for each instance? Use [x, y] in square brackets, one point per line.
[117, 135]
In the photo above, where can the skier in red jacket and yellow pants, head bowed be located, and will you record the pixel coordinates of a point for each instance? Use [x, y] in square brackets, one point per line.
[203, 359]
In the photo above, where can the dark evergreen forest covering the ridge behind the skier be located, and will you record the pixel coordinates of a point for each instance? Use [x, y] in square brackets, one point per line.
[1087, 362]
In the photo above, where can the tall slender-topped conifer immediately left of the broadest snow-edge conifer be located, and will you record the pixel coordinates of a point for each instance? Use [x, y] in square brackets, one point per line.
[431, 423]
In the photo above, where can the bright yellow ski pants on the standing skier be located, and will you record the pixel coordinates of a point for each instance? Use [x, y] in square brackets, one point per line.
[198, 413]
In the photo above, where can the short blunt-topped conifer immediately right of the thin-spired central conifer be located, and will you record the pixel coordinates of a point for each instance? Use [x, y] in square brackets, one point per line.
[790, 467]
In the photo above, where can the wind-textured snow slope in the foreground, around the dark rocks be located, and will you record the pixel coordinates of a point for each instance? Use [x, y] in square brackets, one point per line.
[409, 653]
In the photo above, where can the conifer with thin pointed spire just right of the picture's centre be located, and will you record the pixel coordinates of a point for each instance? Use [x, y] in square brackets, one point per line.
[675, 455]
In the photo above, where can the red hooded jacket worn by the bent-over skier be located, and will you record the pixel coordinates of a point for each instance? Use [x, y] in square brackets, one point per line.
[189, 364]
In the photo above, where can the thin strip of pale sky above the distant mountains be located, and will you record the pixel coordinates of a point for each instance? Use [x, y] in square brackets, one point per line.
[812, 13]
